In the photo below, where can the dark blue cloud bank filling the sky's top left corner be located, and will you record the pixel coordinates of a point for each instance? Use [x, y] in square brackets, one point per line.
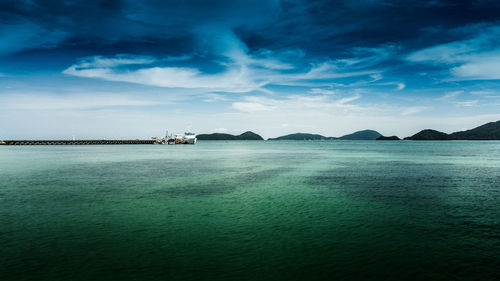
[106, 22]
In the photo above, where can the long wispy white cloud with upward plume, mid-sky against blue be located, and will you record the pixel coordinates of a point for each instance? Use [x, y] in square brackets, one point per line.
[243, 71]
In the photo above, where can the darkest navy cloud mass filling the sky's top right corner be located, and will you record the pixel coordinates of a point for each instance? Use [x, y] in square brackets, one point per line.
[328, 27]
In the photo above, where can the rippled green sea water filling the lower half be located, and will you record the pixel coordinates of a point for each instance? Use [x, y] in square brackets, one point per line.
[299, 210]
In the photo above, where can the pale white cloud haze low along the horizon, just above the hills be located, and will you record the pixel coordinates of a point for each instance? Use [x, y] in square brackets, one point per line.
[118, 116]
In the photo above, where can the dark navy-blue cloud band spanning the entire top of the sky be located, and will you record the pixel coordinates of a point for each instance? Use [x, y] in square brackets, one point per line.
[319, 28]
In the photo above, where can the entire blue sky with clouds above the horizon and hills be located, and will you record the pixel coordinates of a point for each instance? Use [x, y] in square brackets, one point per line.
[133, 69]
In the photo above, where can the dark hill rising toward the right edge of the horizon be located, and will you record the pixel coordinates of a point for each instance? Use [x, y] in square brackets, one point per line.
[488, 131]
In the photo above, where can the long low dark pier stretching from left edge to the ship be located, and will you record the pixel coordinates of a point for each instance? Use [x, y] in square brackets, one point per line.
[74, 142]
